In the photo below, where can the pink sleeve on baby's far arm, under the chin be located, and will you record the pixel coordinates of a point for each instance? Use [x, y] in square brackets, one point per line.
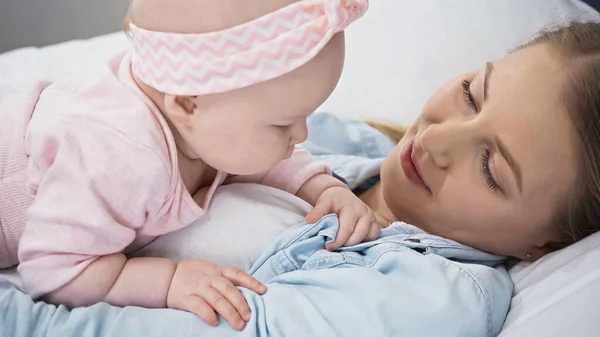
[289, 175]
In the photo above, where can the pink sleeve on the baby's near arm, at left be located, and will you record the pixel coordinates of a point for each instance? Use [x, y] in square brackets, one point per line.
[93, 188]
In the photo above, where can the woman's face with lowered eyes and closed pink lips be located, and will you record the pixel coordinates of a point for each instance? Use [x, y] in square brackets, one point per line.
[490, 157]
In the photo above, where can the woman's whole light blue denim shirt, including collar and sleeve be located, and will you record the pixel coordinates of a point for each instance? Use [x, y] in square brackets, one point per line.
[406, 283]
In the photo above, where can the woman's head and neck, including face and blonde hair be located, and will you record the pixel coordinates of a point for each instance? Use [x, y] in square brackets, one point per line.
[505, 158]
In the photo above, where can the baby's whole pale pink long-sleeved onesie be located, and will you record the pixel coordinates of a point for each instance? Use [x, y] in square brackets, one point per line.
[101, 164]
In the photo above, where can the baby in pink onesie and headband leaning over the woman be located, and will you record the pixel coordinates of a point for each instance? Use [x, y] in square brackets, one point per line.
[214, 92]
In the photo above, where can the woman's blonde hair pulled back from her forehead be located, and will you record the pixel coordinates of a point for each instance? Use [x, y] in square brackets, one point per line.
[579, 45]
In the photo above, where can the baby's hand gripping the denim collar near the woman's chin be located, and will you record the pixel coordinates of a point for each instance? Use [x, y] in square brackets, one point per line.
[357, 221]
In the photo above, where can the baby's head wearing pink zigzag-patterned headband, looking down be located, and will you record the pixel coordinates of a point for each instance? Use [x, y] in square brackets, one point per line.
[243, 105]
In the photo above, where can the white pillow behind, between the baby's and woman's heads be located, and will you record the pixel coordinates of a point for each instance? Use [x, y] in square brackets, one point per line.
[401, 51]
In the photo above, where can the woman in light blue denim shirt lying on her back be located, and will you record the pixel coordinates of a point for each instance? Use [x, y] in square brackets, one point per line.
[502, 160]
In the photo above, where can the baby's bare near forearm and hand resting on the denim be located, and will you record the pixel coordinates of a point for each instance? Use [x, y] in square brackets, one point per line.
[197, 286]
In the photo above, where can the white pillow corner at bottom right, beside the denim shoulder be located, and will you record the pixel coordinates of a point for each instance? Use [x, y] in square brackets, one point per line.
[557, 295]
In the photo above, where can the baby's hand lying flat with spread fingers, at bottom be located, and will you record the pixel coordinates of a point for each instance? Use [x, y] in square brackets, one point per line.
[206, 289]
